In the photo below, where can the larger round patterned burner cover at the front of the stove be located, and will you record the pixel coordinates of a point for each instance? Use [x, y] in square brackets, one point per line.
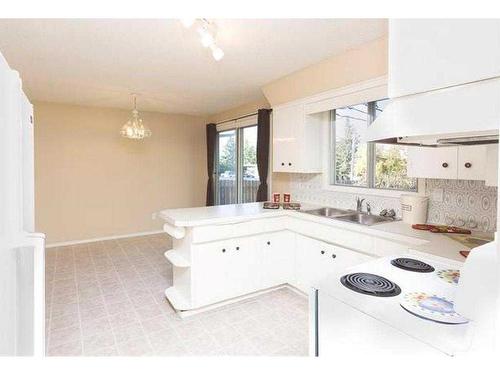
[431, 307]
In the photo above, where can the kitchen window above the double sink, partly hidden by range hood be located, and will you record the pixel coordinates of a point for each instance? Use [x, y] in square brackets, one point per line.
[359, 163]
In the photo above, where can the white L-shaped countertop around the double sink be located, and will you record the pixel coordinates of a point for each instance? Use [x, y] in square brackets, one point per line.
[424, 241]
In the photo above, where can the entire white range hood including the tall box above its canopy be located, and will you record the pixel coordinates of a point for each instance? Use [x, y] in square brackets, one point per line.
[443, 83]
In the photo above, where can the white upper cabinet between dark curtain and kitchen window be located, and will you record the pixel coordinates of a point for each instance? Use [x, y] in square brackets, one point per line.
[296, 140]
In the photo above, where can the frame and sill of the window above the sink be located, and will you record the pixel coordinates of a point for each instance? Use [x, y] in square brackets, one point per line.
[370, 188]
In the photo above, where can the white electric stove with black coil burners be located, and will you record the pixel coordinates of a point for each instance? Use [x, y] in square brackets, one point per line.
[400, 304]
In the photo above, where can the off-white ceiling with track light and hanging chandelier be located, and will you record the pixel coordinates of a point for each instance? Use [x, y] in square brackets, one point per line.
[100, 62]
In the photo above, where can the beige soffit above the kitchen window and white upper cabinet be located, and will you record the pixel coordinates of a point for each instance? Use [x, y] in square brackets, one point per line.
[358, 64]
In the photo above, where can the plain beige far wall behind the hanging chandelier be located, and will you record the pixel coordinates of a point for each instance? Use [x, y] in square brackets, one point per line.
[91, 183]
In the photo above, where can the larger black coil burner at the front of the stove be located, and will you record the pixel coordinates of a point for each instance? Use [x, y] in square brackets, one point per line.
[370, 284]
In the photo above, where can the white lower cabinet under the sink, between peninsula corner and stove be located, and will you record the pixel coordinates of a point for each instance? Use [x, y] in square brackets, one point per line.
[316, 259]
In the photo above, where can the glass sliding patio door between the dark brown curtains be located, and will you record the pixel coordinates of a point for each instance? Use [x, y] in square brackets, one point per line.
[237, 175]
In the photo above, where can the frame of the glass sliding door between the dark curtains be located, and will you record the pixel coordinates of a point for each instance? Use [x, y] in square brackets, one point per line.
[239, 162]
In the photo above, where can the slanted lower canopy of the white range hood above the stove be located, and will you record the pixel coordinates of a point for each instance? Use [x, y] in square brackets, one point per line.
[464, 114]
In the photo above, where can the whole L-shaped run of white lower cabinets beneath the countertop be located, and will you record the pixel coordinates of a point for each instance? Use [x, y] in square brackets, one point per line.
[226, 269]
